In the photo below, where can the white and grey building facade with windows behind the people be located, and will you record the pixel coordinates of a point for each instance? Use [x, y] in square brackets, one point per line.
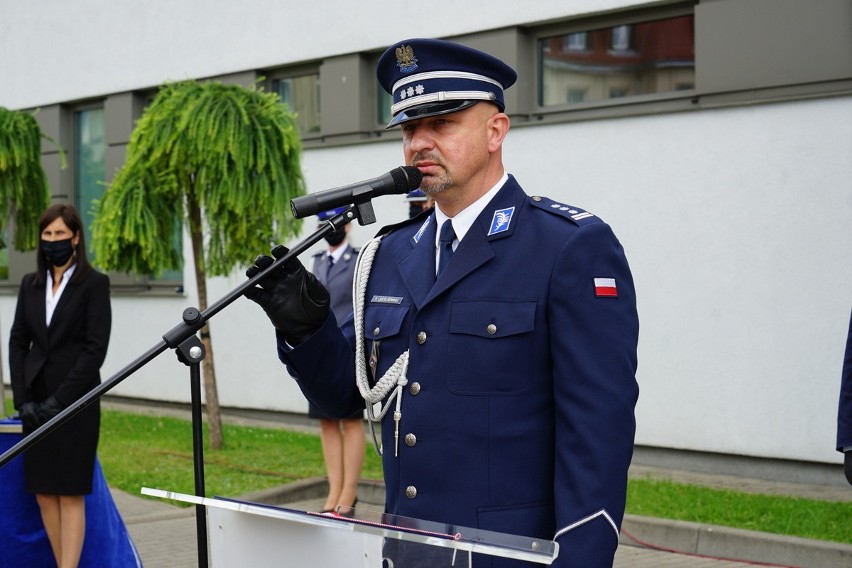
[713, 135]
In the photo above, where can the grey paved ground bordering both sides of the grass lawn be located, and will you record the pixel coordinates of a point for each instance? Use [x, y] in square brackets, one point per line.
[166, 536]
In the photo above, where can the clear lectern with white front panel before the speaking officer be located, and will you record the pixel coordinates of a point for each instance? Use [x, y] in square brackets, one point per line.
[253, 534]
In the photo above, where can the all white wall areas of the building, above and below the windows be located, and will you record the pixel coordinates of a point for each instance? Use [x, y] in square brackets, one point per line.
[735, 221]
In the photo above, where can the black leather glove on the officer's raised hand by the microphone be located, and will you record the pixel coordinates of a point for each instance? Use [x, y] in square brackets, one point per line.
[295, 301]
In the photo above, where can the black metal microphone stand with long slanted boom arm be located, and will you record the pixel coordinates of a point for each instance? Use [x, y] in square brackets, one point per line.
[190, 351]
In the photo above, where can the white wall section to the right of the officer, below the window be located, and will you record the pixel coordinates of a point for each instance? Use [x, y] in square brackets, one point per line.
[737, 226]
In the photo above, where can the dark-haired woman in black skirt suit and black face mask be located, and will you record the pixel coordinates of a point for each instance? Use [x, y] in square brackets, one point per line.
[57, 345]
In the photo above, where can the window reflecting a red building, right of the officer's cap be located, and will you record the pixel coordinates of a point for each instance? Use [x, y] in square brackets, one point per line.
[617, 62]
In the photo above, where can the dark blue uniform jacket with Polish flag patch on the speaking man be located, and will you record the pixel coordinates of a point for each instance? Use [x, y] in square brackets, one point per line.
[518, 415]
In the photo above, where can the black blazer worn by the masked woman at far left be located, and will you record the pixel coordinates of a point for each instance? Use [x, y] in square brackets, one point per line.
[70, 352]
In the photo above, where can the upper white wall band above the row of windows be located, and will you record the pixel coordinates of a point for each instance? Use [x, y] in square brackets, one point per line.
[56, 51]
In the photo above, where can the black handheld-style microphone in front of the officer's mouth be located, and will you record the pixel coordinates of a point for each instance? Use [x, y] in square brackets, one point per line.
[400, 180]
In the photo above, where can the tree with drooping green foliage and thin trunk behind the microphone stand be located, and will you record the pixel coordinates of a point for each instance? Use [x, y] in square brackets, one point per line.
[222, 159]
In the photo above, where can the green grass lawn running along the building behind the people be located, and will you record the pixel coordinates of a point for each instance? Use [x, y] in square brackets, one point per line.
[140, 450]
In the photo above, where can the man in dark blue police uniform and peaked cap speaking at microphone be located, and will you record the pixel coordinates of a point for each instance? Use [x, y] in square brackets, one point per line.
[516, 405]
